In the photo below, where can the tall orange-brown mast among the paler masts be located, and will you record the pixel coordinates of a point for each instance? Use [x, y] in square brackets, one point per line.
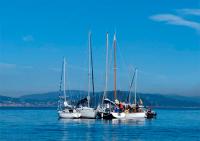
[115, 69]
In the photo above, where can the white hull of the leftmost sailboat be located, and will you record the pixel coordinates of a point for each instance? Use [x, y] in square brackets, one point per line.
[68, 115]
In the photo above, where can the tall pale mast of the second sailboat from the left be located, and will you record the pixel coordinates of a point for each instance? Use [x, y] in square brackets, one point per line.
[88, 98]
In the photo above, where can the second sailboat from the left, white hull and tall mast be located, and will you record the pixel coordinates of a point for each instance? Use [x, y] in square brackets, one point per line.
[87, 111]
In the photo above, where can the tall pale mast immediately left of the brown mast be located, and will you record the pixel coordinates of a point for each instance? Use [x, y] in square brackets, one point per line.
[106, 74]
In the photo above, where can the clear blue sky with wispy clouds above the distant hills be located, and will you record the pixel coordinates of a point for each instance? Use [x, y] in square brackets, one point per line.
[159, 38]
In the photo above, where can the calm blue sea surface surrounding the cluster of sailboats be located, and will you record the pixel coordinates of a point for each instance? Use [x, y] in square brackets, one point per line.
[43, 124]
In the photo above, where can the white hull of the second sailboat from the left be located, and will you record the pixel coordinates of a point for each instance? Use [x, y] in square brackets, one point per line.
[87, 112]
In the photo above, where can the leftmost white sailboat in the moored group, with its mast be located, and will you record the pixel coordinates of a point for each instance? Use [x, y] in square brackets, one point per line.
[64, 109]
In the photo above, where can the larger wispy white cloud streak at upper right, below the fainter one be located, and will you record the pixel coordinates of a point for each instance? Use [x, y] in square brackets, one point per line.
[175, 20]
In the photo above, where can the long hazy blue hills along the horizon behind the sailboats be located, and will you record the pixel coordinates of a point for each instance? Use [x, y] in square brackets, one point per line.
[50, 99]
